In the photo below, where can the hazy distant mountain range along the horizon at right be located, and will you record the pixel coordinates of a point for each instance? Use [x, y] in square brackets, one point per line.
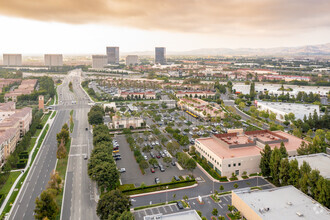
[321, 49]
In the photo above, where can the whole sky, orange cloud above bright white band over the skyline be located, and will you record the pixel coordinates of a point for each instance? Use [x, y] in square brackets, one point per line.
[88, 26]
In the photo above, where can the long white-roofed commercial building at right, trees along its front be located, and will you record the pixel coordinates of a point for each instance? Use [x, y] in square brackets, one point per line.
[281, 109]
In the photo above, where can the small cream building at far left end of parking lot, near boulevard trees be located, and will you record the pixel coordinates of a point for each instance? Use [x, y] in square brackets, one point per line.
[126, 122]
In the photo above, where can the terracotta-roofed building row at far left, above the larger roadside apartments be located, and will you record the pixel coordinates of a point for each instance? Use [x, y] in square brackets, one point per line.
[27, 87]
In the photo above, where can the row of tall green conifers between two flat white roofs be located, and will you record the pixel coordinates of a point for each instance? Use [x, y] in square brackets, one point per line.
[282, 171]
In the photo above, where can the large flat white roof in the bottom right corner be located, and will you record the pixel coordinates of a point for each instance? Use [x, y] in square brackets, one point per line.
[285, 202]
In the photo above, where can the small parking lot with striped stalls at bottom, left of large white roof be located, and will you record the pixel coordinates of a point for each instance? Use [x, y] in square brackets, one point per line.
[205, 207]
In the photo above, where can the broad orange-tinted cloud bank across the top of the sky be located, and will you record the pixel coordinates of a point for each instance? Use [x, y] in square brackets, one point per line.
[228, 17]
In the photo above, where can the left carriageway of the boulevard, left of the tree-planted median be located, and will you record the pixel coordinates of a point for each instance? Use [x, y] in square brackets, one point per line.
[44, 163]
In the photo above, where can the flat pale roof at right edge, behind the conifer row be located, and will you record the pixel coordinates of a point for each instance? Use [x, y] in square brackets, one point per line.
[320, 161]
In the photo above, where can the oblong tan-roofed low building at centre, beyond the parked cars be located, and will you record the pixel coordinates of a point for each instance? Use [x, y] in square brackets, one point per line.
[199, 108]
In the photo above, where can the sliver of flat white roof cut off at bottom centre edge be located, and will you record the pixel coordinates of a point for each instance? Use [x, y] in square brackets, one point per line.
[186, 215]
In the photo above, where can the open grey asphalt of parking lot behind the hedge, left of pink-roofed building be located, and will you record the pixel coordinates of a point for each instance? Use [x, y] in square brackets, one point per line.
[133, 173]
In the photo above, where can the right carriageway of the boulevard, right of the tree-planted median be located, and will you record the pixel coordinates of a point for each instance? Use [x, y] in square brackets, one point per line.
[80, 197]
